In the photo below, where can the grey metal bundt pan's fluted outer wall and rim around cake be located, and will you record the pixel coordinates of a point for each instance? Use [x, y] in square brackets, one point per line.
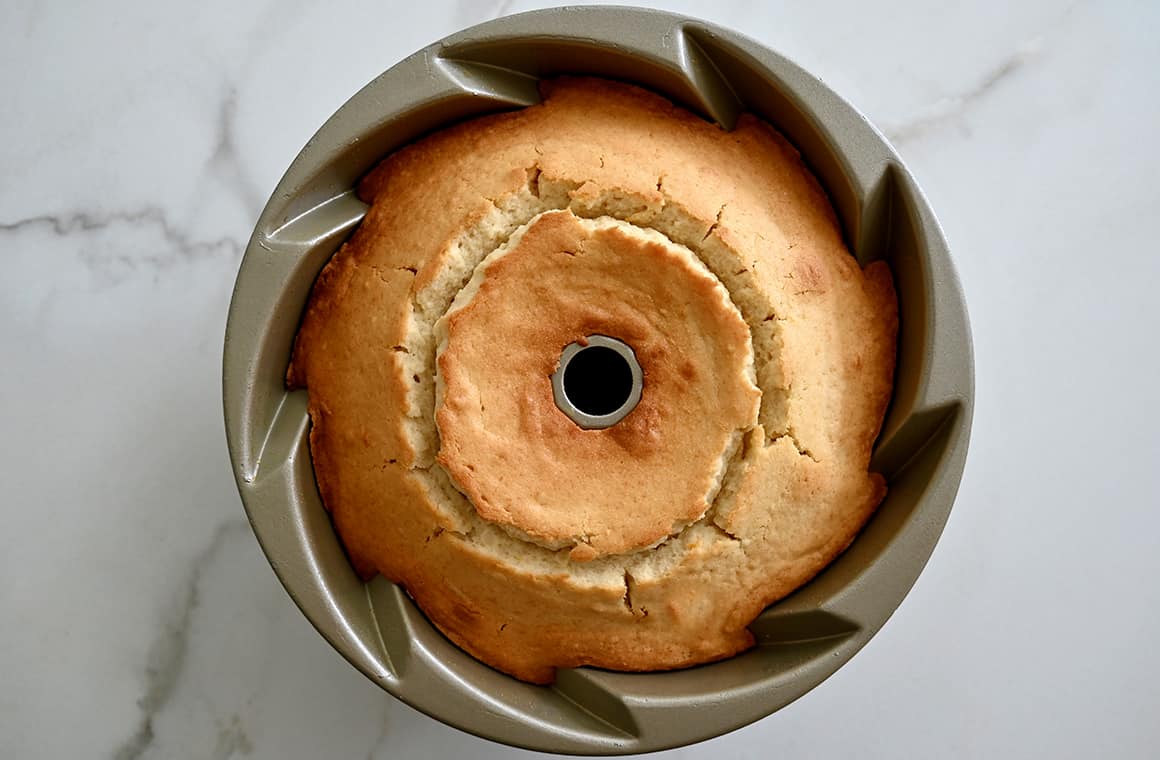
[719, 75]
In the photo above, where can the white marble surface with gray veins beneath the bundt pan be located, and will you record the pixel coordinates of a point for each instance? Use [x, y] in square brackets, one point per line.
[137, 144]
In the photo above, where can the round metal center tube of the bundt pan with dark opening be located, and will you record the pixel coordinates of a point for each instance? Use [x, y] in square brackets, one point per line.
[599, 383]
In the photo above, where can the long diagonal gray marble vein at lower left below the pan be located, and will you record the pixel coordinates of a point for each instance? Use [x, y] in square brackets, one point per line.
[166, 658]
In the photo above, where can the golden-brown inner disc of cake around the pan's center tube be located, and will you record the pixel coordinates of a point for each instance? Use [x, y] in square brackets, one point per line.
[527, 466]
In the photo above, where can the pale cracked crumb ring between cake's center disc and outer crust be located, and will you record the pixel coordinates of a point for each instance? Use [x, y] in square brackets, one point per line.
[453, 269]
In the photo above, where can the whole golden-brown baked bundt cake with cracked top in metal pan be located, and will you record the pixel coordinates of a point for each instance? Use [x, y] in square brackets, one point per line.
[431, 339]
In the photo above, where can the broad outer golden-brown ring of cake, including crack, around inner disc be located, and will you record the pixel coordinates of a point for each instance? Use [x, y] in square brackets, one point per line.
[796, 494]
